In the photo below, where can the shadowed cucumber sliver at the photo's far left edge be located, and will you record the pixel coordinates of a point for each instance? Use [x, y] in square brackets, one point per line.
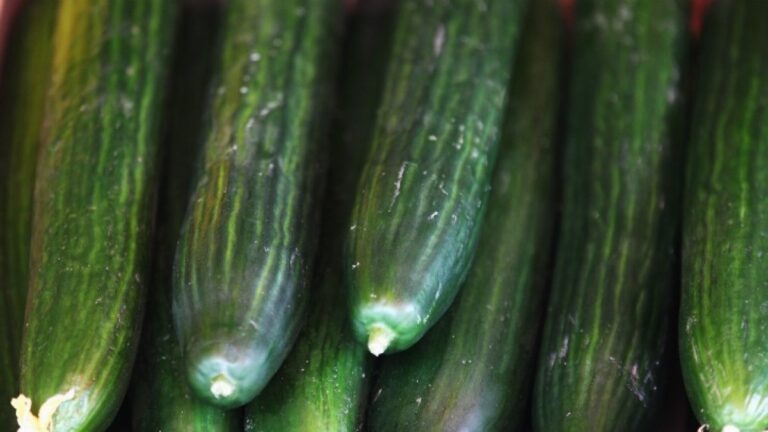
[27, 69]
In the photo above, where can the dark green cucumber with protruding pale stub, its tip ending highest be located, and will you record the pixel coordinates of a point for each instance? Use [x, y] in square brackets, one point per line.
[422, 193]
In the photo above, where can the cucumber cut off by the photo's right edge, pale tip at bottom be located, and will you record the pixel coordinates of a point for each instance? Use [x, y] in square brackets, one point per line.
[724, 304]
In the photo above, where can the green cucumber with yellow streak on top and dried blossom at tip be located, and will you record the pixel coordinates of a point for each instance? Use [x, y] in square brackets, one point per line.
[92, 211]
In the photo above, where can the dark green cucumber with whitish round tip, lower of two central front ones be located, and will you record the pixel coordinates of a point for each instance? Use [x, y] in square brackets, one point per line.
[244, 259]
